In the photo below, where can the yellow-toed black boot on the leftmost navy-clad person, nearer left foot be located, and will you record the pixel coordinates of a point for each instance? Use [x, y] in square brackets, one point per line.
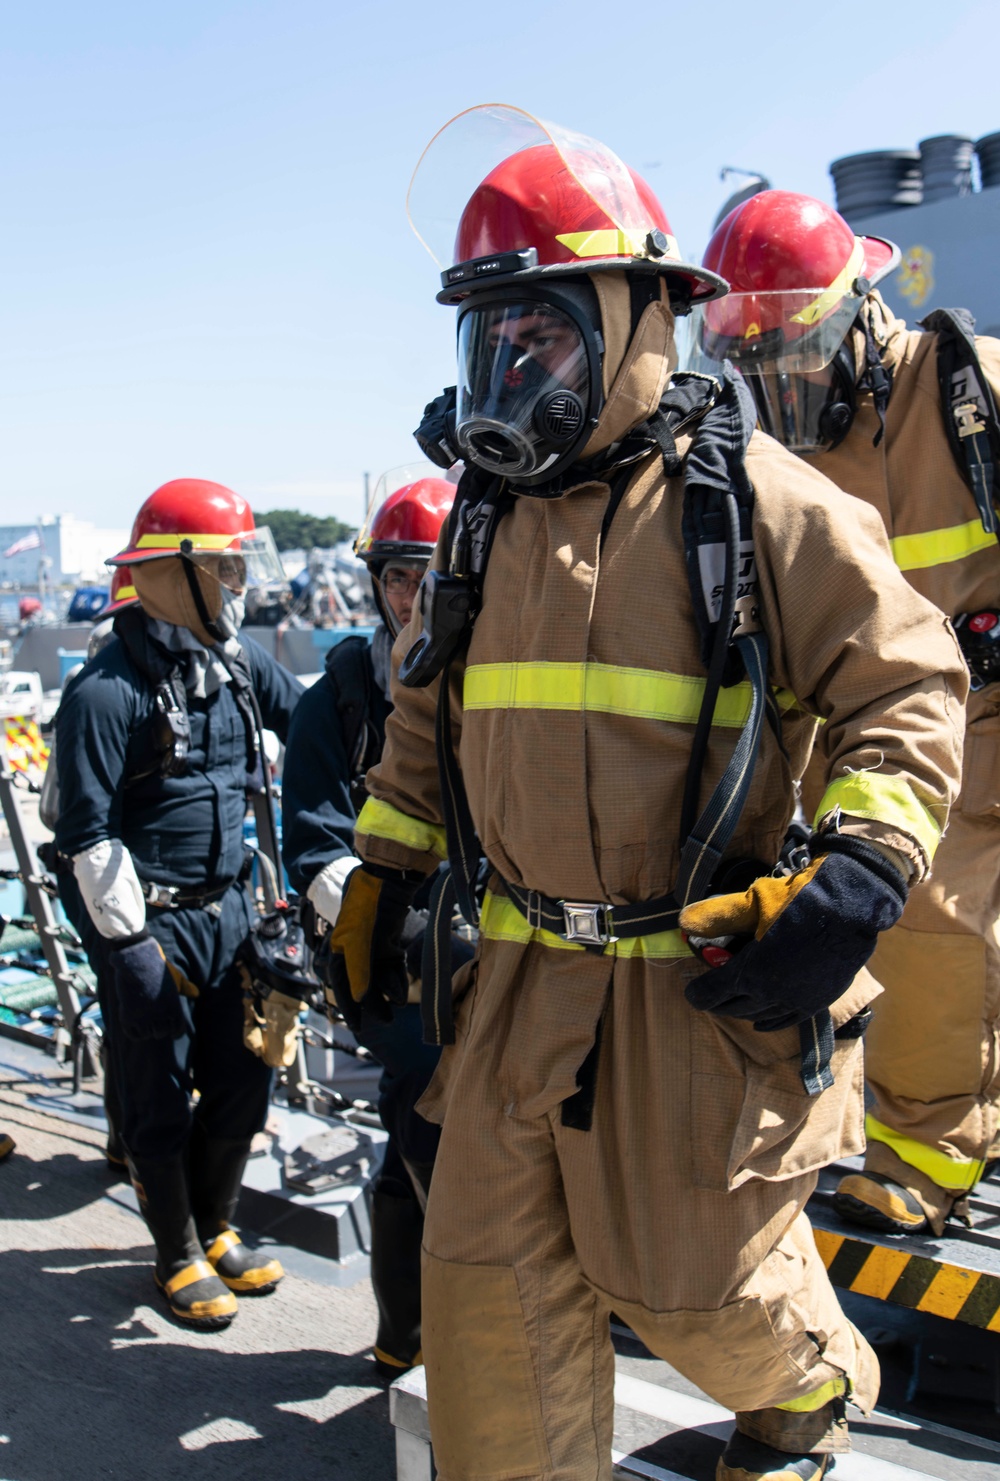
[193, 1291]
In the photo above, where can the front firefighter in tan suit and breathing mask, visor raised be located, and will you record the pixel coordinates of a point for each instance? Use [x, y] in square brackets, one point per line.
[617, 1134]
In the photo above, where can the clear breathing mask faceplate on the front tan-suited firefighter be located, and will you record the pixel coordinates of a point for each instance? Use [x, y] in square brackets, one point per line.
[528, 381]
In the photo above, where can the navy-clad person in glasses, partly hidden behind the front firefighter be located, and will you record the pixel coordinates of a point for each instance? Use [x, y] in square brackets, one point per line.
[337, 735]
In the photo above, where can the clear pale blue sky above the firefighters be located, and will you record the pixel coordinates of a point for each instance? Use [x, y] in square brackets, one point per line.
[205, 261]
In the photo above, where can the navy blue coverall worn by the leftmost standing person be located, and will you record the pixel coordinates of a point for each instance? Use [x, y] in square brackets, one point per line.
[186, 832]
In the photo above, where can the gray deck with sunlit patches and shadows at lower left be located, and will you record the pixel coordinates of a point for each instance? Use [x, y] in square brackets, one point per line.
[97, 1381]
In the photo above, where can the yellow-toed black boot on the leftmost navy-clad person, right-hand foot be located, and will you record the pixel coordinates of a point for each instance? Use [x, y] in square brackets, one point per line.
[217, 1177]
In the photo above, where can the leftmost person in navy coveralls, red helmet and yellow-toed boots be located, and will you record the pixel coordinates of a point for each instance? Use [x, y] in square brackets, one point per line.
[158, 741]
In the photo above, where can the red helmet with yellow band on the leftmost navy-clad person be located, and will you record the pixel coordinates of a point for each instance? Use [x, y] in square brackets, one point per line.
[192, 513]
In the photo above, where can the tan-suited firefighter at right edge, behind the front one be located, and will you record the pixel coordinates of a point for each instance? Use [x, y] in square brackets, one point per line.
[847, 386]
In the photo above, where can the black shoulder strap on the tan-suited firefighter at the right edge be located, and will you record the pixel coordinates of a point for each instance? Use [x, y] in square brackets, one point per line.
[970, 408]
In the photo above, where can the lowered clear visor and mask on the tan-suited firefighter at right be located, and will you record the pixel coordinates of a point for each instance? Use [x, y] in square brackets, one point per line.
[795, 353]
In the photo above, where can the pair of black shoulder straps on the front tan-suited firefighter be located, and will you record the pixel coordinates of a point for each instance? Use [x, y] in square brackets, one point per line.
[718, 529]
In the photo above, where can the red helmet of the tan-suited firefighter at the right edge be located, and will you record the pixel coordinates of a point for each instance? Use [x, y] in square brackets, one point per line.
[798, 279]
